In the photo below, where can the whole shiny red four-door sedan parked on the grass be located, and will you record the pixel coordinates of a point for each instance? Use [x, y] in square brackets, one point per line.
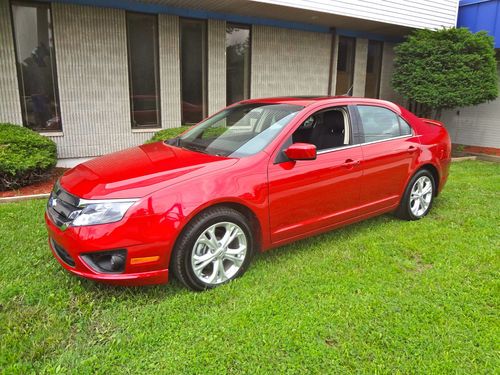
[259, 174]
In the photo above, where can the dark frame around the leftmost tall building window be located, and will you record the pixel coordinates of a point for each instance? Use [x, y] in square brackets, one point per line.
[19, 75]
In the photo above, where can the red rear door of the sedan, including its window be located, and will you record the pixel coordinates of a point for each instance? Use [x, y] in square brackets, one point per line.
[390, 150]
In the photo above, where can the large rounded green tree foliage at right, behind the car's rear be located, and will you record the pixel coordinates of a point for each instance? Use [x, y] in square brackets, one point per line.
[447, 68]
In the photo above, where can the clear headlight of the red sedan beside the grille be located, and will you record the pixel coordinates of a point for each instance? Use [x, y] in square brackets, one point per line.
[101, 212]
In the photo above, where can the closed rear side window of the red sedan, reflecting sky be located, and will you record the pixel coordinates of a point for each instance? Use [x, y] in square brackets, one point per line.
[381, 123]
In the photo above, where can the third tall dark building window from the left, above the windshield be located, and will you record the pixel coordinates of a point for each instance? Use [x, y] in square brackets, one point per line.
[193, 70]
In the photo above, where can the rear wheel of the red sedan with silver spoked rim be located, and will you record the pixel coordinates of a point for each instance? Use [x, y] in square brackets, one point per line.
[418, 196]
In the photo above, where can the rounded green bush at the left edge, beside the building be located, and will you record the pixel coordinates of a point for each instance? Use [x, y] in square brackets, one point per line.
[25, 156]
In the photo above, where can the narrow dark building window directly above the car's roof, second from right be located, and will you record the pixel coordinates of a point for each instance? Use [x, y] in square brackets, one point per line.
[345, 65]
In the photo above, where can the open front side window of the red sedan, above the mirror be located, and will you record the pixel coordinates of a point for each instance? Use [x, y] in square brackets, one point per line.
[326, 129]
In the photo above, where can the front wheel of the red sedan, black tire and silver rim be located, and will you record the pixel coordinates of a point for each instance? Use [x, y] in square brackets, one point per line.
[214, 248]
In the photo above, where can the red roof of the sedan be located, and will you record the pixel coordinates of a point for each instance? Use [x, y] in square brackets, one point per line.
[305, 101]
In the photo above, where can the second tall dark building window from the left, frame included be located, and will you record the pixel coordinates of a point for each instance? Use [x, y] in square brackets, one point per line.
[142, 41]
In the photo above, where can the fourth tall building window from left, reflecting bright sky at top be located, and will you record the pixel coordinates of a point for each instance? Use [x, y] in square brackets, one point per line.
[237, 63]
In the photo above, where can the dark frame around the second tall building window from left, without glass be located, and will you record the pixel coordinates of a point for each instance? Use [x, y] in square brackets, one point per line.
[157, 74]
